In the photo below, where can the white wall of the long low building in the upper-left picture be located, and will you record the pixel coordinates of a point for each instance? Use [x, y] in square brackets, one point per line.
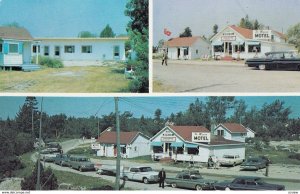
[101, 49]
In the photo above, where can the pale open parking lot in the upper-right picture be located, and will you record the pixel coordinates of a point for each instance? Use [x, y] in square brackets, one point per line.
[220, 76]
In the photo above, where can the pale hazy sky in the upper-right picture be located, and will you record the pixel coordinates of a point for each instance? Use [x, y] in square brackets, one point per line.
[201, 15]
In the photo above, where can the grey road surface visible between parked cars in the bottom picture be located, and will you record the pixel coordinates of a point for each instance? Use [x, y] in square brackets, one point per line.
[215, 174]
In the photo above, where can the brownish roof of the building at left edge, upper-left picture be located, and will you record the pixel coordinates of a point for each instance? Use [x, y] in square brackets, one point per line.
[15, 33]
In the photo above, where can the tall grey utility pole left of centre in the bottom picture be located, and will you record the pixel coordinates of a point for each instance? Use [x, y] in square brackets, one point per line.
[117, 186]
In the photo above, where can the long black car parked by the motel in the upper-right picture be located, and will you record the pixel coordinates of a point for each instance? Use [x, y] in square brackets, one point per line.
[288, 60]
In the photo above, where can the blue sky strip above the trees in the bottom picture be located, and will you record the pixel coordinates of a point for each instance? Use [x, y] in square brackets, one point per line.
[89, 106]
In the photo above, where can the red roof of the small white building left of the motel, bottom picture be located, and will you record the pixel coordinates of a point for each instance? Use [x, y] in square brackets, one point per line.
[109, 137]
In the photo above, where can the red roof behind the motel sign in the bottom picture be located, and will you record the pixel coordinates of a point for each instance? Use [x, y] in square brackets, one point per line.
[186, 131]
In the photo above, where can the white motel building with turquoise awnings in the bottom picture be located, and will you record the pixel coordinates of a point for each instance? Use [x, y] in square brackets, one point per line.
[192, 144]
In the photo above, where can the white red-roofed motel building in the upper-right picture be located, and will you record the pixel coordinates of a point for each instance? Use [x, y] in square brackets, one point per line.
[240, 43]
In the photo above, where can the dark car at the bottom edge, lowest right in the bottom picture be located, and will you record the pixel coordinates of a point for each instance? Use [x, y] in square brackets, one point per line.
[247, 183]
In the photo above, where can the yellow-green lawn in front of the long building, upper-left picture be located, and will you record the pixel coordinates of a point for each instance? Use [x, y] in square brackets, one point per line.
[89, 79]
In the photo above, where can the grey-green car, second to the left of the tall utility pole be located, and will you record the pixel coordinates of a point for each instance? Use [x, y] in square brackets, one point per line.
[80, 163]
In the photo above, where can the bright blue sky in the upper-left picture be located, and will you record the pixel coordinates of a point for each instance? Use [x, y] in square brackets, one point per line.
[65, 18]
